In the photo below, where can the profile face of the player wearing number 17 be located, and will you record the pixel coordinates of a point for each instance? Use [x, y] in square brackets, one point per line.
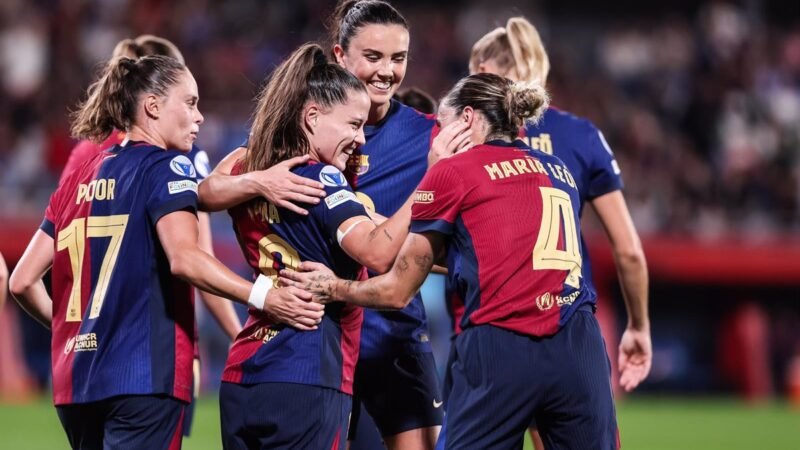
[179, 118]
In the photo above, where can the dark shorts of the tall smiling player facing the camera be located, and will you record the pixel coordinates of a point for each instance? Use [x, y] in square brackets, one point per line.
[400, 393]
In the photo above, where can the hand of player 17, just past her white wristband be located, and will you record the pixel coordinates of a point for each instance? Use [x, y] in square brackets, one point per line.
[293, 307]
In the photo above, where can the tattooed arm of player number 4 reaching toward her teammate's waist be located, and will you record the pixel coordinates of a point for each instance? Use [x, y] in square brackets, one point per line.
[393, 290]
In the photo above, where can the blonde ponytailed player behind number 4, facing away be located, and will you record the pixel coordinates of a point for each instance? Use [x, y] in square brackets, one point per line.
[517, 52]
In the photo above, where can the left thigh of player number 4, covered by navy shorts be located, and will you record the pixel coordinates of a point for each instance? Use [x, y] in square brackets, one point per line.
[493, 390]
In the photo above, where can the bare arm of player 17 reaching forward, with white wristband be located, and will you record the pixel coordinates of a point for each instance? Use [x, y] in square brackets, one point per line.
[178, 233]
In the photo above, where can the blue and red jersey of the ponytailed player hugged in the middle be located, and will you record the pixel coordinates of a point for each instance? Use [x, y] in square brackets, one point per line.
[273, 239]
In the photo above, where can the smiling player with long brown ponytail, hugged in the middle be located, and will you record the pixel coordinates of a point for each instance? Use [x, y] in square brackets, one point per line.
[315, 107]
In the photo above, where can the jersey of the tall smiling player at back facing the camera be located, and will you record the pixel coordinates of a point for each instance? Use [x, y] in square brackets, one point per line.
[384, 173]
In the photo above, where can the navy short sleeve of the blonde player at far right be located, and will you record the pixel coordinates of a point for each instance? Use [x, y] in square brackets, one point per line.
[604, 174]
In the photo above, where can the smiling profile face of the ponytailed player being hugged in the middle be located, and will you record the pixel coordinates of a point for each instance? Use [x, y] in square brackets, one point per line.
[335, 132]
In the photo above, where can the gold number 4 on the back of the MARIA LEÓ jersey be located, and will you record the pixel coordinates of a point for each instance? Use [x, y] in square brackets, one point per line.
[557, 208]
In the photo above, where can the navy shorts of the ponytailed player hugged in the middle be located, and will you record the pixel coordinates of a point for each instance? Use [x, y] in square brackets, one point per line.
[283, 415]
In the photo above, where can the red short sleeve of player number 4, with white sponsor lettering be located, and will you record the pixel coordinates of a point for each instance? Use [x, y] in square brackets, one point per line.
[438, 200]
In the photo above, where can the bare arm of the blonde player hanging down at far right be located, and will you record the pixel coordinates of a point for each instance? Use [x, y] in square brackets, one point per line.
[635, 350]
